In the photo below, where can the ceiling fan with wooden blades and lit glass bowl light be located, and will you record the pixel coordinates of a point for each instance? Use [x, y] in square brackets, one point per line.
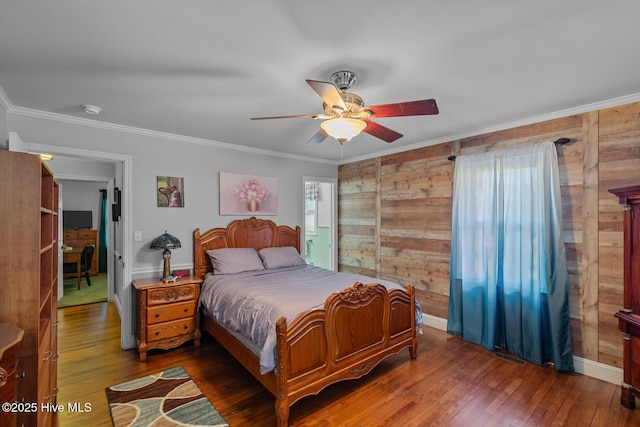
[345, 114]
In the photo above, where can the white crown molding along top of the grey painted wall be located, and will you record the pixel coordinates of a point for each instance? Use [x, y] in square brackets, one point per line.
[28, 112]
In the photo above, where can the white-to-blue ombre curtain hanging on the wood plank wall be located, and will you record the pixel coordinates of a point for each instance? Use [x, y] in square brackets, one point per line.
[508, 265]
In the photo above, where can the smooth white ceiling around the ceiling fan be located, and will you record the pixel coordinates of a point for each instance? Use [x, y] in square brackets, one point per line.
[201, 69]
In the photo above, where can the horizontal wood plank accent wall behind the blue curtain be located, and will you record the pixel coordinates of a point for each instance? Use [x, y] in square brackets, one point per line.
[395, 216]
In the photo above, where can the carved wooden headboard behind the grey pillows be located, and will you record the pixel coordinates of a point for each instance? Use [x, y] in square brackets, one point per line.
[241, 233]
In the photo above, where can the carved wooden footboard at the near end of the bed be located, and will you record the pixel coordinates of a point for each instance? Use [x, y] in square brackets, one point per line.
[357, 328]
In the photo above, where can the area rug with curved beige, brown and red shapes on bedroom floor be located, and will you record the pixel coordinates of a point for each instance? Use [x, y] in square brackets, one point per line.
[168, 398]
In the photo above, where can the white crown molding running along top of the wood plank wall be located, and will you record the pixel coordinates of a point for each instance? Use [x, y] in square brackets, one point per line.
[613, 102]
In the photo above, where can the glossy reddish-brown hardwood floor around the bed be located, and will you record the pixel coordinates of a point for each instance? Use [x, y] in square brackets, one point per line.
[451, 383]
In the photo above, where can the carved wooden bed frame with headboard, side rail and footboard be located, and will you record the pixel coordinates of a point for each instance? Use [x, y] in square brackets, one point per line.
[322, 346]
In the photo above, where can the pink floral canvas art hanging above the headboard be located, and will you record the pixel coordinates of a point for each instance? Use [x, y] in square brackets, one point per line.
[248, 194]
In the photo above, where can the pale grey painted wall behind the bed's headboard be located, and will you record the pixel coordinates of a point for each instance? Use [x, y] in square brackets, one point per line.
[198, 163]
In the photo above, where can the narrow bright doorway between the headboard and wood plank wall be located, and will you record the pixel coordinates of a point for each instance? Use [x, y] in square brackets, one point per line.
[320, 230]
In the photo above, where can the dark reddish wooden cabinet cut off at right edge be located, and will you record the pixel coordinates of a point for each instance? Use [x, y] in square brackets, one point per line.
[629, 315]
